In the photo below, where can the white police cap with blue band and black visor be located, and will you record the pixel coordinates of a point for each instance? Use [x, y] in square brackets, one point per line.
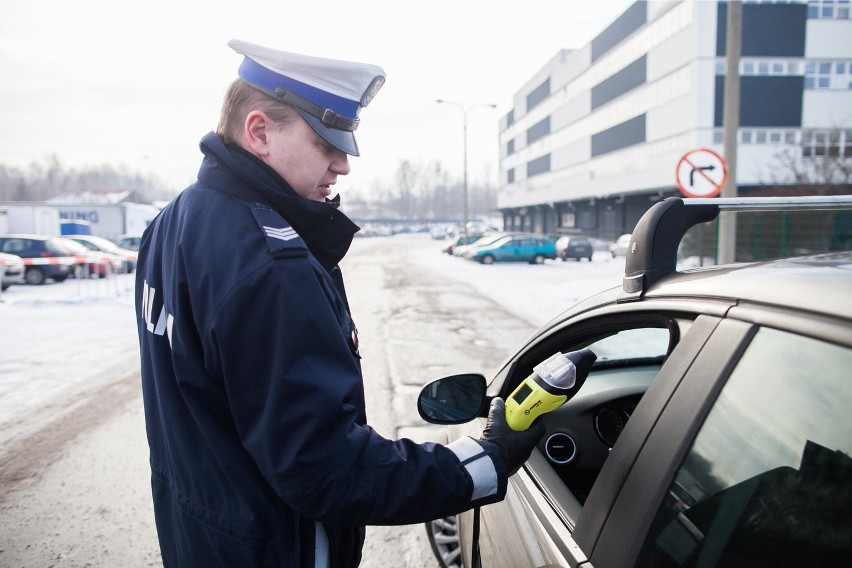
[328, 93]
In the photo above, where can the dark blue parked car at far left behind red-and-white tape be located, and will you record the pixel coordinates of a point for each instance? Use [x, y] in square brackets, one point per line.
[44, 257]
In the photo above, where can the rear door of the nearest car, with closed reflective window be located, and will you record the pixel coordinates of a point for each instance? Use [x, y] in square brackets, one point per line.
[749, 462]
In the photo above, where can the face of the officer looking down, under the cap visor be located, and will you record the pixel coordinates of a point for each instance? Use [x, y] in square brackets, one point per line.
[307, 162]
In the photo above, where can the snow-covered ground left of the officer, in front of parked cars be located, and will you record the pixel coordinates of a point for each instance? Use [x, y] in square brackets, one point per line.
[59, 337]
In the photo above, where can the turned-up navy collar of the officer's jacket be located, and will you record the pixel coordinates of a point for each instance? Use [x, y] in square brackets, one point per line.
[325, 229]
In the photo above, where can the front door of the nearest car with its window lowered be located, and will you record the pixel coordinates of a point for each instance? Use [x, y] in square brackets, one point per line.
[546, 500]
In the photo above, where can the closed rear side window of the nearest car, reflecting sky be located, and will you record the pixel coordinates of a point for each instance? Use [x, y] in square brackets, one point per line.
[767, 480]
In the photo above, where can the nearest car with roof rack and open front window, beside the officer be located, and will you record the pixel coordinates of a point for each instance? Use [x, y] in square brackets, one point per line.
[713, 430]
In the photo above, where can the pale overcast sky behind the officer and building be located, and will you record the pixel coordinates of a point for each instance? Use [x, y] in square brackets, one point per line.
[139, 83]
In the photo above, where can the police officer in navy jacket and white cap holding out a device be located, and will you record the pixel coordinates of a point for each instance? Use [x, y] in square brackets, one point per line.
[260, 450]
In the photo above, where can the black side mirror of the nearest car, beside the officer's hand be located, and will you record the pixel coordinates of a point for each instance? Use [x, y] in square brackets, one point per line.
[452, 400]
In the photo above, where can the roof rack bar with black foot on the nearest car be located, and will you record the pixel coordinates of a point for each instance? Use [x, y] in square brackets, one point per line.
[652, 253]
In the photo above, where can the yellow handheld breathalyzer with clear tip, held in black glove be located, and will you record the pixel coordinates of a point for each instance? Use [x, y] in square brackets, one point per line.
[550, 385]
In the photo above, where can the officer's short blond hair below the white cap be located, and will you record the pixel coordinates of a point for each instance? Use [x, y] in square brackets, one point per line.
[240, 100]
